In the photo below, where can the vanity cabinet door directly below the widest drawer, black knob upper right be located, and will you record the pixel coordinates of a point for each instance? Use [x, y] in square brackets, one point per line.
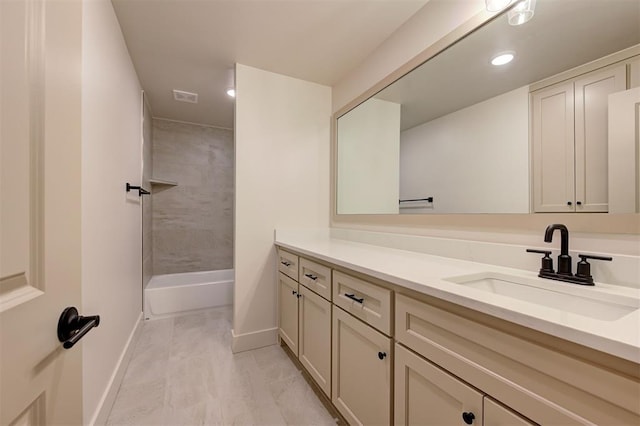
[361, 388]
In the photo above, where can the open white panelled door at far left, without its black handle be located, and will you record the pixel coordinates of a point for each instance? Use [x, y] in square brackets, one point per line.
[40, 48]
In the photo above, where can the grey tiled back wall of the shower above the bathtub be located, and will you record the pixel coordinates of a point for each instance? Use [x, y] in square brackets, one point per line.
[192, 221]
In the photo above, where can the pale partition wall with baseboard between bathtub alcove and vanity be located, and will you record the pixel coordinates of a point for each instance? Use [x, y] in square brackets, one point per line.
[282, 181]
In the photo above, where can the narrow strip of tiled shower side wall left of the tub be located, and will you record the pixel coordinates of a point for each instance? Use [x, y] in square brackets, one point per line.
[147, 201]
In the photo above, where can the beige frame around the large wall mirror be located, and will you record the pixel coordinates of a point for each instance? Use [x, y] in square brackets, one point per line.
[599, 223]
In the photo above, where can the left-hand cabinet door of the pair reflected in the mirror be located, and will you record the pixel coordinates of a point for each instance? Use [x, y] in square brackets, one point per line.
[553, 148]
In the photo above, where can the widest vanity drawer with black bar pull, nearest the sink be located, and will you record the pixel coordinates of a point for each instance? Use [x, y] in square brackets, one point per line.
[369, 302]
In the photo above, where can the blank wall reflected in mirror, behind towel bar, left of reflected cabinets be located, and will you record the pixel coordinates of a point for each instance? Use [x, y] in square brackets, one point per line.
[461, 158]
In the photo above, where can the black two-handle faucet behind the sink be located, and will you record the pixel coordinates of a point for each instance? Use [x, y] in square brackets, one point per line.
[583, 273]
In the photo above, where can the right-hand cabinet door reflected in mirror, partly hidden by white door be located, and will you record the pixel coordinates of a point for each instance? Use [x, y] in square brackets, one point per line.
[591, 133]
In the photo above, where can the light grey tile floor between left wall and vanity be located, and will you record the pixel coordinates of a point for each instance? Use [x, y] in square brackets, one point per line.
[183, 373]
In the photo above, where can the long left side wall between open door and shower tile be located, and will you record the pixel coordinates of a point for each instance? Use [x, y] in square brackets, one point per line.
[111, 218]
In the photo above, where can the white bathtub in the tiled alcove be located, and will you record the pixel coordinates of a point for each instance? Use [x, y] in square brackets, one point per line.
[171, 294]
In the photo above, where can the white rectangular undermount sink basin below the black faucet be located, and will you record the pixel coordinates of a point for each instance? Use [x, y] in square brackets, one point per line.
[586, 301]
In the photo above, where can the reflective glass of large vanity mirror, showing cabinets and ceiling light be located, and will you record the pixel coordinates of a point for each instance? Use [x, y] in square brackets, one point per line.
[528, 136]
